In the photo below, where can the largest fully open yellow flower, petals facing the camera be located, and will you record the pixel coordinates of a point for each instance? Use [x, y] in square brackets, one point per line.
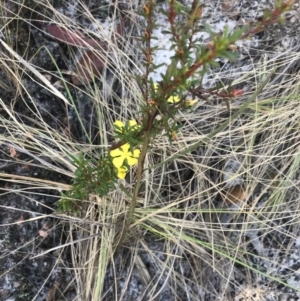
[123, 153]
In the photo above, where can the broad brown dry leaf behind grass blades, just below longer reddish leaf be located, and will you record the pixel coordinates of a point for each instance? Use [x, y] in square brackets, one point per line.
[89, 66]
